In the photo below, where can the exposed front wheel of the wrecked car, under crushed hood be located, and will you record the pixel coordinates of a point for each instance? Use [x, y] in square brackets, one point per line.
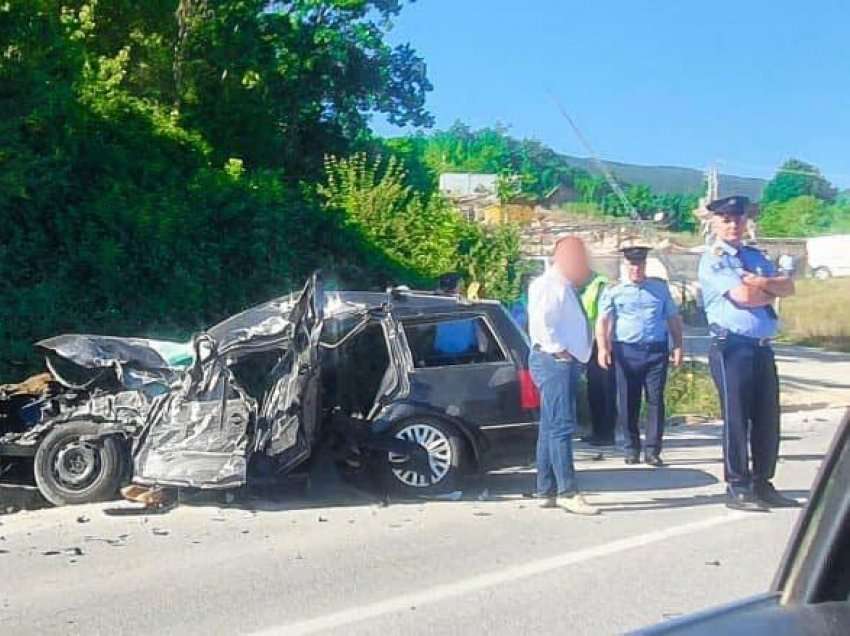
[69, 470]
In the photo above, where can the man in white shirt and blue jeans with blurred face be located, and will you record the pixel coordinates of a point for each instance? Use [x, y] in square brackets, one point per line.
[560, 338]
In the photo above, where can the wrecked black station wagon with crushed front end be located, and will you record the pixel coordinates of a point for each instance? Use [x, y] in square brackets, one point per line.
[416, 387]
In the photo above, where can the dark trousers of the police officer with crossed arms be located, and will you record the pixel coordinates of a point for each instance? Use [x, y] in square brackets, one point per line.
[745, 375]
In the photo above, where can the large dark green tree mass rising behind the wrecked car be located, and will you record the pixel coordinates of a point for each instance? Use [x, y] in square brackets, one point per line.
[158, 158]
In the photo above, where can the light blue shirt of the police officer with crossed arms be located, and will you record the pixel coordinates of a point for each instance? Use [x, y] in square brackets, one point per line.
[720, 271]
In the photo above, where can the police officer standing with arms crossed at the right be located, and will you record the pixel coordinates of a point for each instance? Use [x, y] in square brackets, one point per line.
[739, 285]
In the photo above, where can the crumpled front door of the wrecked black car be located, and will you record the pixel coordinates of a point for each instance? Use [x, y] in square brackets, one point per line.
[201, 434]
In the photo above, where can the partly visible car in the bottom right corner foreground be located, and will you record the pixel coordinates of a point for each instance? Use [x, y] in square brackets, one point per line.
[810, 594]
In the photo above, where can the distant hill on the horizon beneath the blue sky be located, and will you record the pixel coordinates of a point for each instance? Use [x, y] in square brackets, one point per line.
[672, 179]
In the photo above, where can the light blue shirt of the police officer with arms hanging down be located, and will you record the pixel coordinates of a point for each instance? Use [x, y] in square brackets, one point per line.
[640, 310]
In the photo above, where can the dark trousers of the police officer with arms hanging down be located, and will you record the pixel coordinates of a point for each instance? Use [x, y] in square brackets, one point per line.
[641, 367]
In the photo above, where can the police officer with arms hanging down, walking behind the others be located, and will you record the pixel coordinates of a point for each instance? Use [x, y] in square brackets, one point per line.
[637, 318]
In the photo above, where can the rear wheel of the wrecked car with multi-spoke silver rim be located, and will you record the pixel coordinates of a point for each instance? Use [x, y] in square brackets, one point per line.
[446, 449]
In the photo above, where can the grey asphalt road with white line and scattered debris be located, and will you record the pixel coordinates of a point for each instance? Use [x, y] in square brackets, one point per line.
[491, 563]
